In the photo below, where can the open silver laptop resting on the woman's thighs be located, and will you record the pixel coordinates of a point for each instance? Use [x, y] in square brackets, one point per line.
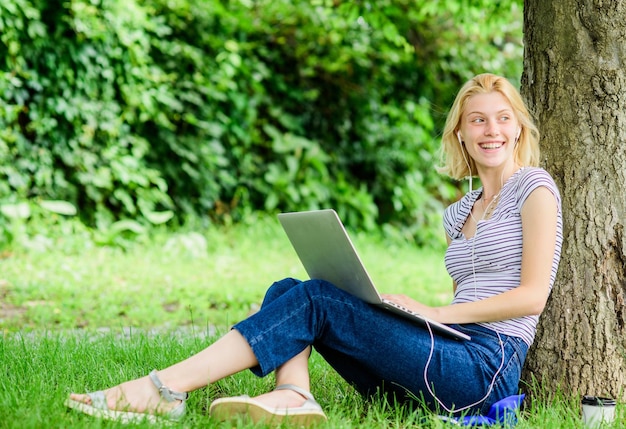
[327, 253]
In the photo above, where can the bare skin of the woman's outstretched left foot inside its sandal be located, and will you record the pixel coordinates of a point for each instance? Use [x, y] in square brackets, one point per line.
[138, 396]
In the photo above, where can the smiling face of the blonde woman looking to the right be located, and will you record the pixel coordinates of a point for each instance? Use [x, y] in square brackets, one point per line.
[489, 130]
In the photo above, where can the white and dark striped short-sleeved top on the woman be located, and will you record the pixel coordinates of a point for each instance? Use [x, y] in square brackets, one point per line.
[496, 247]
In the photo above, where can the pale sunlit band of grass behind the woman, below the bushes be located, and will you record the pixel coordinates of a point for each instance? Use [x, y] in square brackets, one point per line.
[215, 278]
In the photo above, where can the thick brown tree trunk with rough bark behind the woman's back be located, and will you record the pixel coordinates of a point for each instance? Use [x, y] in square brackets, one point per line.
[574, 81]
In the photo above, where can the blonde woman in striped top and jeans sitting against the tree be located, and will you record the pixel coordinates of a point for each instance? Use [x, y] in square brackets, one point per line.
[504, 247]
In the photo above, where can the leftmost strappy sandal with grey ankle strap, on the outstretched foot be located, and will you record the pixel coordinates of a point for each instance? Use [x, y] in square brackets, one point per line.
[99, 408]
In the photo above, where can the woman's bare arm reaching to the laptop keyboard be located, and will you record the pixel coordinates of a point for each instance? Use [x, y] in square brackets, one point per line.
[539, 229]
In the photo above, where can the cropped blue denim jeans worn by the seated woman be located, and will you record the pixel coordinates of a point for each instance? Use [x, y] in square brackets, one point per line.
[379, 352]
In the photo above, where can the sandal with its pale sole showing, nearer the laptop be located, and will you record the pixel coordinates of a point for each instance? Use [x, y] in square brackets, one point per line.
[225, 409]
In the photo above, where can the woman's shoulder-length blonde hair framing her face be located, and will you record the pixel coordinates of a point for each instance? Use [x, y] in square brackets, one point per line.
[454, 155]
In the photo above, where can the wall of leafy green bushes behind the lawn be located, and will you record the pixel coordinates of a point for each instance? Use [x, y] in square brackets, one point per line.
[156, 111]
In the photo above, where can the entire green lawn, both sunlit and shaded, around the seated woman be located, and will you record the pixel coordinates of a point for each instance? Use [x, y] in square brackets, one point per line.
[80, 317]
